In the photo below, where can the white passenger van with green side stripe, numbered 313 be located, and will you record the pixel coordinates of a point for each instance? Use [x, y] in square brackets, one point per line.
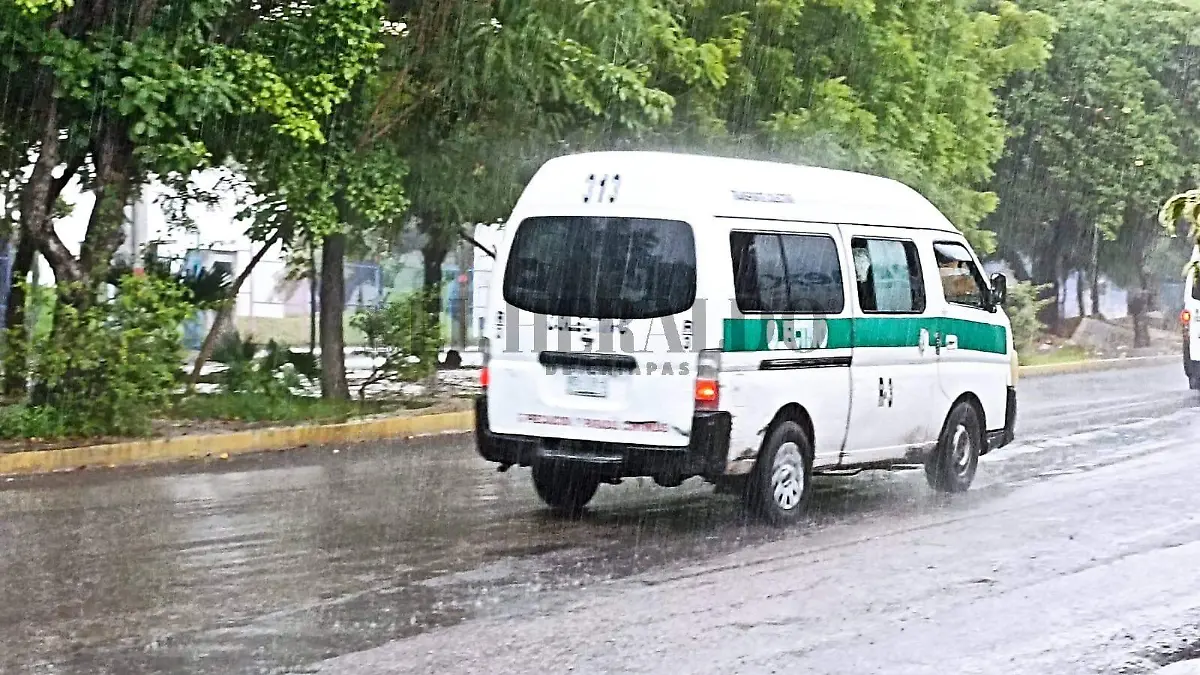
[751, 324]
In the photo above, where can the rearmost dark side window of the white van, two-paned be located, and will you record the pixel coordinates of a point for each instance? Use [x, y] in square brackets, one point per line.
[787, 273]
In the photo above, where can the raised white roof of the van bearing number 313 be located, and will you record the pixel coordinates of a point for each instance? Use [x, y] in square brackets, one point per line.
[729, 188]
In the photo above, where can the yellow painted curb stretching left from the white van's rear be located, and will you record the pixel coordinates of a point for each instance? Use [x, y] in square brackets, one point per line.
[239, 443]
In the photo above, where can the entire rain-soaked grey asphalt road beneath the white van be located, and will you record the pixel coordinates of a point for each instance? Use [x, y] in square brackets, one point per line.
[1077, 552]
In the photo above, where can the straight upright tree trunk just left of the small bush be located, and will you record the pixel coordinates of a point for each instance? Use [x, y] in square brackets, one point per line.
[333, 309]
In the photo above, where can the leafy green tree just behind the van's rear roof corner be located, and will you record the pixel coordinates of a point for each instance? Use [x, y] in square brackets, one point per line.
[488, 91]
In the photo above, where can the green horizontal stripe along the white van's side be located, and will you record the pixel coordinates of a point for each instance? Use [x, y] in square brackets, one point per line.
[757, 334]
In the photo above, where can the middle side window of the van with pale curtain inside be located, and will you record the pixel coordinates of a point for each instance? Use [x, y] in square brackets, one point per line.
[889, 274]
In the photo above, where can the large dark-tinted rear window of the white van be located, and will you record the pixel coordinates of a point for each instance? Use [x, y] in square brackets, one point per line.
[602, 267]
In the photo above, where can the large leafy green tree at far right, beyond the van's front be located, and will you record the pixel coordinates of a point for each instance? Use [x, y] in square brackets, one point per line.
[1097, 139]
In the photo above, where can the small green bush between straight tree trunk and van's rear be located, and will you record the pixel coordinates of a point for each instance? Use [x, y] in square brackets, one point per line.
[405, 336]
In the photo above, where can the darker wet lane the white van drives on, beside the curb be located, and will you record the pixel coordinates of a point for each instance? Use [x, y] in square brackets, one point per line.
[277, 563]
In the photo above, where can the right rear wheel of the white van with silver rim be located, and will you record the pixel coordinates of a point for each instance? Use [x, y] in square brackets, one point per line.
[778, 491]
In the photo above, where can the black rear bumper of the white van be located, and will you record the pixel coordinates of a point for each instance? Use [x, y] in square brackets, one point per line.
[706, 455]
